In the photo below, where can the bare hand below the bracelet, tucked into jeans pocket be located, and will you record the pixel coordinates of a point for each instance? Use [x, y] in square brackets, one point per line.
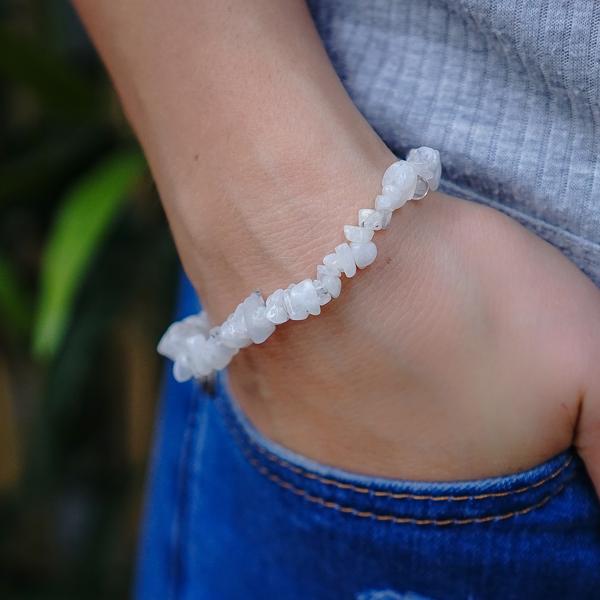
[466, 350]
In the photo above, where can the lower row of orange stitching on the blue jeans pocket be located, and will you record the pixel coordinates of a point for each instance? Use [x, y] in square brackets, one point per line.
[392, 518]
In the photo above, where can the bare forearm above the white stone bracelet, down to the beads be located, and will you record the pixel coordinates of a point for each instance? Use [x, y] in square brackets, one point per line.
[256, 148]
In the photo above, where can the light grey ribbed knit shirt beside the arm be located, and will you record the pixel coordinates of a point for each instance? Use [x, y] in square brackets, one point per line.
[508, 91]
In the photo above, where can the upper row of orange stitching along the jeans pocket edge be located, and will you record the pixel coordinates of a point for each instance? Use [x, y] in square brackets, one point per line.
[405, 496]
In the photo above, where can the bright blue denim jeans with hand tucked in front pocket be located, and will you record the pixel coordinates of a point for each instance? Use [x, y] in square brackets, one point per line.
[232, 515]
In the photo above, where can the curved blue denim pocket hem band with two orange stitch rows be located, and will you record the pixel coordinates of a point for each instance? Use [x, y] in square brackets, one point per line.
[398, 501]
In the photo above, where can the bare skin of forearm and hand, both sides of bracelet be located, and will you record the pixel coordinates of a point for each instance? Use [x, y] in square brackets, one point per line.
[468, 349]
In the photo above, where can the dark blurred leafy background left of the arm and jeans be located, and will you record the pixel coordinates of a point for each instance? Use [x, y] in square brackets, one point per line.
[87, 280]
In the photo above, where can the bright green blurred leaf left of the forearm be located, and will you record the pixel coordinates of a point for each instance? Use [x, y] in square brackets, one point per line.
[81, 224]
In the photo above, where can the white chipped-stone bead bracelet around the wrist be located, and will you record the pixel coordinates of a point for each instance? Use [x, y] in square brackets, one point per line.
[197, 349]
